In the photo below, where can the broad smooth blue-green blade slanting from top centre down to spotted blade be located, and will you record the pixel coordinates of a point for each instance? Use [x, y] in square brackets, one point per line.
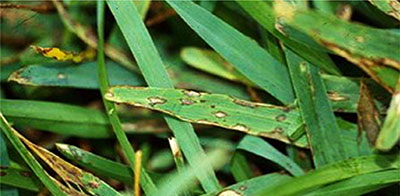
[253, 62]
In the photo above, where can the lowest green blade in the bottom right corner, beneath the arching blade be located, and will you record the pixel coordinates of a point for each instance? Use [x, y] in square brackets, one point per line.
[360, 185]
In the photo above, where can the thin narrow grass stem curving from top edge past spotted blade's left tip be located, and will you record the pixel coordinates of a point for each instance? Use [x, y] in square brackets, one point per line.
[145, 180]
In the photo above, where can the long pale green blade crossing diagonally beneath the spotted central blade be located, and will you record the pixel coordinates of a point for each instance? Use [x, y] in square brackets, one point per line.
[155, 74]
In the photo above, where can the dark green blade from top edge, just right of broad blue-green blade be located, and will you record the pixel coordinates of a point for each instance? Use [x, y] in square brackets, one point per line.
[263, 13]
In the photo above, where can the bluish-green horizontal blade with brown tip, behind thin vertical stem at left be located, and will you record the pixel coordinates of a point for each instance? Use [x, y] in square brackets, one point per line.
[76, 76]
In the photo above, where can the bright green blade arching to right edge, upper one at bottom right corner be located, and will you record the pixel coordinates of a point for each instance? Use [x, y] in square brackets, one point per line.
[332, 173]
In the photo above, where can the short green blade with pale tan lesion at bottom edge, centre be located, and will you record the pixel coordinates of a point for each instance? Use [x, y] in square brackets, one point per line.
[252, 186]
